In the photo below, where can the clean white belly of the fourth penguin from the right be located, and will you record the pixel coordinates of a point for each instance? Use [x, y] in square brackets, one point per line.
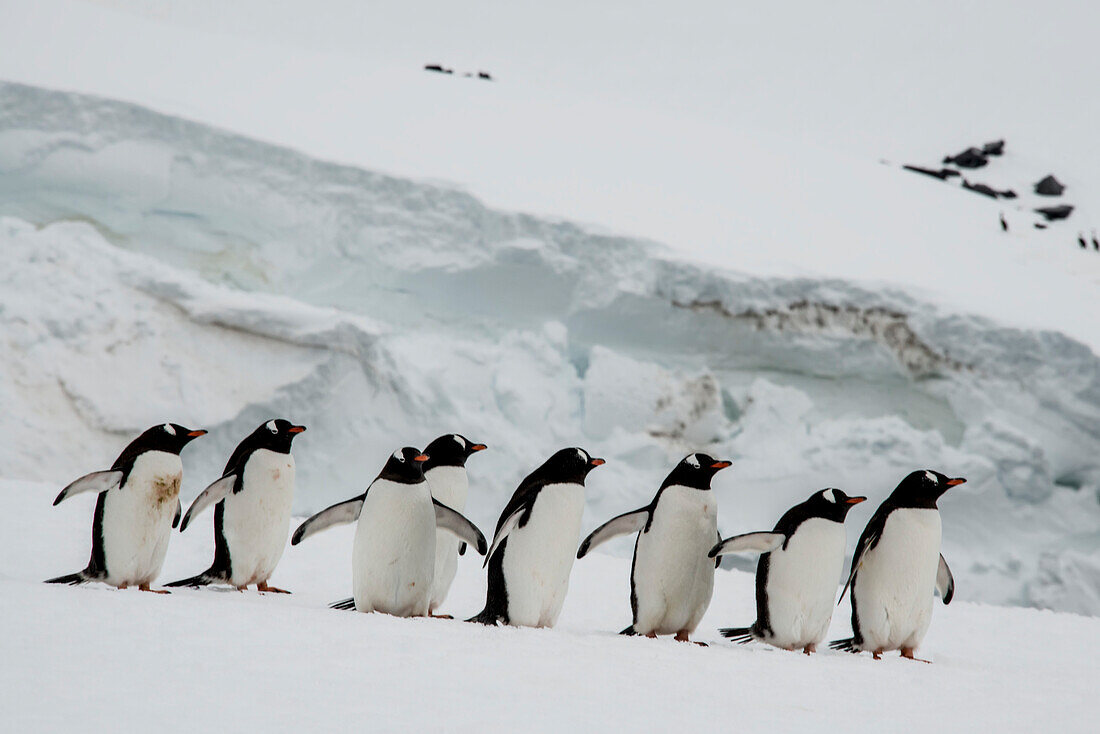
[540, 556]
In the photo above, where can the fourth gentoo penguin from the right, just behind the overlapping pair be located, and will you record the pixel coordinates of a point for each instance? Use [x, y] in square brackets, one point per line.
[533, 549]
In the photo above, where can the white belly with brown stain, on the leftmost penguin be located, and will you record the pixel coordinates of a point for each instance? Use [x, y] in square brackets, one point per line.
[138, 517]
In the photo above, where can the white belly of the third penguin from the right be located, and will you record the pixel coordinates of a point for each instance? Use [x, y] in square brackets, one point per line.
[674, 579]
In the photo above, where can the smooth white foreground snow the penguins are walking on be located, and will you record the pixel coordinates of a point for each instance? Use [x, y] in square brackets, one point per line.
[218, 660]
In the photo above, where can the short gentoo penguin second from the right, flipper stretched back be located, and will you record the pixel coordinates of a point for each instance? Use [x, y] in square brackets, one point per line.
[797, 582]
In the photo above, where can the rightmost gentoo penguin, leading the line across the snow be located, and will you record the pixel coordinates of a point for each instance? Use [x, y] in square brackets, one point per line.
[897, 568]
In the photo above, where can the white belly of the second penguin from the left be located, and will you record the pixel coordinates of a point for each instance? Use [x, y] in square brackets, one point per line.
[257, 520]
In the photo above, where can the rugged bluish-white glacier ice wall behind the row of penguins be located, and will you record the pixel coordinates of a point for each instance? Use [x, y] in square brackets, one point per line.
[158, 269]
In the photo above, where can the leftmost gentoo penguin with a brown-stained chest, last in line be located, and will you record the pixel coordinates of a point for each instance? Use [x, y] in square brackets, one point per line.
[137, 509]
